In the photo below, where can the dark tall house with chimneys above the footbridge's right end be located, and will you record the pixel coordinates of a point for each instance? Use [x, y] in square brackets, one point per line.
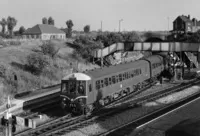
[183, 24]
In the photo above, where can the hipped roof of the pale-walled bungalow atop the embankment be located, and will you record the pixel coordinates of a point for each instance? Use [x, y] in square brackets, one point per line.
[43, 28]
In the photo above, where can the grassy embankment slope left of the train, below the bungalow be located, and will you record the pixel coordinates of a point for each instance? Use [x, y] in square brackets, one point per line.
[16, 77]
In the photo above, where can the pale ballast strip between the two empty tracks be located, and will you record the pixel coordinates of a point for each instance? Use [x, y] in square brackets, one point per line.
[126, 116]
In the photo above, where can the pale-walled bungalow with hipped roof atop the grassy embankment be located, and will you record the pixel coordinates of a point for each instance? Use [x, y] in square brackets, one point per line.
[44, 32]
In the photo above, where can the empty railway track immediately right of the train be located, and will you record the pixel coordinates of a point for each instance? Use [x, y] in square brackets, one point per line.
[81, 121]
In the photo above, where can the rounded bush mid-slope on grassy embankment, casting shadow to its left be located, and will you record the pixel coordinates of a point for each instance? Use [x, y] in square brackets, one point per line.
[36, 63]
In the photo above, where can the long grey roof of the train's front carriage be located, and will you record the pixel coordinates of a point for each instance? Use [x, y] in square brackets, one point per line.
[100, 72]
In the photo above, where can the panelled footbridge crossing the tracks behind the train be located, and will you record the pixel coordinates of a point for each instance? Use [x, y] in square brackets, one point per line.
[153, 47]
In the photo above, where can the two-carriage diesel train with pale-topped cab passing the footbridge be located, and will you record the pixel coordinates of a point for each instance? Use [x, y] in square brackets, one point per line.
[93, 89]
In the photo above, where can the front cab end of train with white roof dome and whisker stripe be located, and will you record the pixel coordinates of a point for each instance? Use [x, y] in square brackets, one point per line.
[74, 92]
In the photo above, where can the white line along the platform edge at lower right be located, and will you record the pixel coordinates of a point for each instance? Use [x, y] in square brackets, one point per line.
[167, 113]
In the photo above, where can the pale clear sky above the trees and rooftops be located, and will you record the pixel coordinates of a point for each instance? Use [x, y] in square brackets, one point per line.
[137, 15]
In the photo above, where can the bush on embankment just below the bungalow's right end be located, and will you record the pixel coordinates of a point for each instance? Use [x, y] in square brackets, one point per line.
[49, 48]
